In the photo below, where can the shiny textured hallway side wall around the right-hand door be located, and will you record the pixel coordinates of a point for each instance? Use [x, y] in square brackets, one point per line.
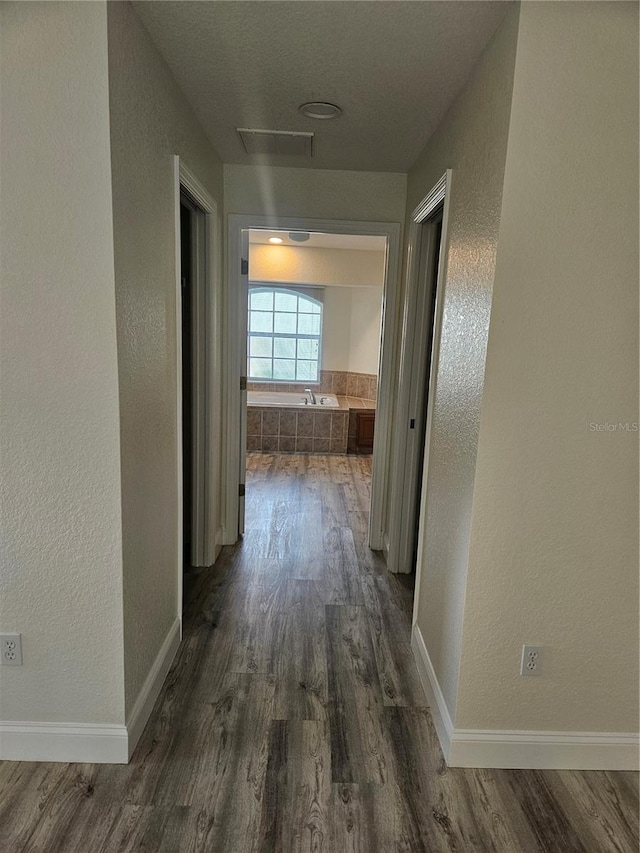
[472, 140]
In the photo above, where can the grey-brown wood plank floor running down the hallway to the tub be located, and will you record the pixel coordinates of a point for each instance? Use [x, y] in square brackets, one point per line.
[293, 718]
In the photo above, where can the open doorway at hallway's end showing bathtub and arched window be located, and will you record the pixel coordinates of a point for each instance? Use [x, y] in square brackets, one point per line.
[314, 319]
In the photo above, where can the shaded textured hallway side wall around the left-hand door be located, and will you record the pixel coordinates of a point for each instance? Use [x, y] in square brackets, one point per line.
[150, 122]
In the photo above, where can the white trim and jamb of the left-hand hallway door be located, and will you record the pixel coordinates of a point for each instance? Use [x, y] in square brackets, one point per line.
[206, 288]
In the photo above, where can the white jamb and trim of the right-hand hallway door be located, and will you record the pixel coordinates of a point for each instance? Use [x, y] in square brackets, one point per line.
[439, 194]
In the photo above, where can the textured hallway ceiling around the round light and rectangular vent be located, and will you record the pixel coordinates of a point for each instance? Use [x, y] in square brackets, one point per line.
[394, 68]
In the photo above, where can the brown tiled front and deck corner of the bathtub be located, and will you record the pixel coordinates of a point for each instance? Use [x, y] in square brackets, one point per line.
[291, 430]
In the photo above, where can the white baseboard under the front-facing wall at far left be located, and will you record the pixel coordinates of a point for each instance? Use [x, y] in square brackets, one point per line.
[67, 742]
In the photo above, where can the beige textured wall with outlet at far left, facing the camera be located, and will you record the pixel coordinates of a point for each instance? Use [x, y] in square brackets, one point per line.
[61, 562]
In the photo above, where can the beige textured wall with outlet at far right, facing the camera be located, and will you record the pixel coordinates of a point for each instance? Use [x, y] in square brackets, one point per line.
[554, 550]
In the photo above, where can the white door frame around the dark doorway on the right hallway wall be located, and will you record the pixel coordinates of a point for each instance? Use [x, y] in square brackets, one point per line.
[415, 334]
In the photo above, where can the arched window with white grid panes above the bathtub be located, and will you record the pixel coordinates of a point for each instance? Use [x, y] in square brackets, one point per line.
[285, 331]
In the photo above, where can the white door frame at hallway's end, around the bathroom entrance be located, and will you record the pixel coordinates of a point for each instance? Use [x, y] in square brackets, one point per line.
[234, 369]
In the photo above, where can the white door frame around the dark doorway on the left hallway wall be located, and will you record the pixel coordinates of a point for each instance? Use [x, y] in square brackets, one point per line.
[184, 177]
